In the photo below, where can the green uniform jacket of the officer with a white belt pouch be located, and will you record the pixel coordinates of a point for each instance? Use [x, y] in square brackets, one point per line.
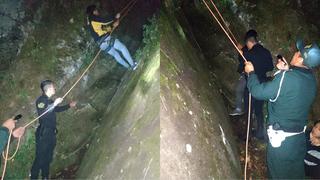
[294, 100]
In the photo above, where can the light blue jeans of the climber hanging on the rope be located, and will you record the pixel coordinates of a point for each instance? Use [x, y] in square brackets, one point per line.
[115, 51]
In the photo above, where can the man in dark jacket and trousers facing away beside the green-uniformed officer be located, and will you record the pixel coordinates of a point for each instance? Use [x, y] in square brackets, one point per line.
[262, 61]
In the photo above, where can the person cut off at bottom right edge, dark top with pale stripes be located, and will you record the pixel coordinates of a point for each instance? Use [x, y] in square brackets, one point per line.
[312, 158]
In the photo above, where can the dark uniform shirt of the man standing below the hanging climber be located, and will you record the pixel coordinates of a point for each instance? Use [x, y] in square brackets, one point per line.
[49, 119]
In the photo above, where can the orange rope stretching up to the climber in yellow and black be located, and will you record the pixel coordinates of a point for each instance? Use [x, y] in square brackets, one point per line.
[124, 11]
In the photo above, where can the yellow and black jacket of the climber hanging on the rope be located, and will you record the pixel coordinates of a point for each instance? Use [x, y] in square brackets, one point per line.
[100, 27]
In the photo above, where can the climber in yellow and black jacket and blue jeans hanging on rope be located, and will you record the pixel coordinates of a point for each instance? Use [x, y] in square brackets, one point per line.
[100, 29]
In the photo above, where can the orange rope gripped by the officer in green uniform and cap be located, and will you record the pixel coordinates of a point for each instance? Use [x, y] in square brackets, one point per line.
[249, 105]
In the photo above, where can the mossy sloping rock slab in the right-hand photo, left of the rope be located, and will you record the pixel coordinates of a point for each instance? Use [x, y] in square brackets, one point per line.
[196, 139]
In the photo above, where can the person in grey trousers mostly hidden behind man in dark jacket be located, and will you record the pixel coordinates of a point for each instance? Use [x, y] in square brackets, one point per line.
[241, 85]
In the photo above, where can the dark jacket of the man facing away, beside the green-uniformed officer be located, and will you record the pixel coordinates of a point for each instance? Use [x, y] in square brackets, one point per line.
[261, 59]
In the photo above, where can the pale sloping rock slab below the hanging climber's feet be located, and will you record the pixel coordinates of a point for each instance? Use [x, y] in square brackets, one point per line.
[126, 146]
